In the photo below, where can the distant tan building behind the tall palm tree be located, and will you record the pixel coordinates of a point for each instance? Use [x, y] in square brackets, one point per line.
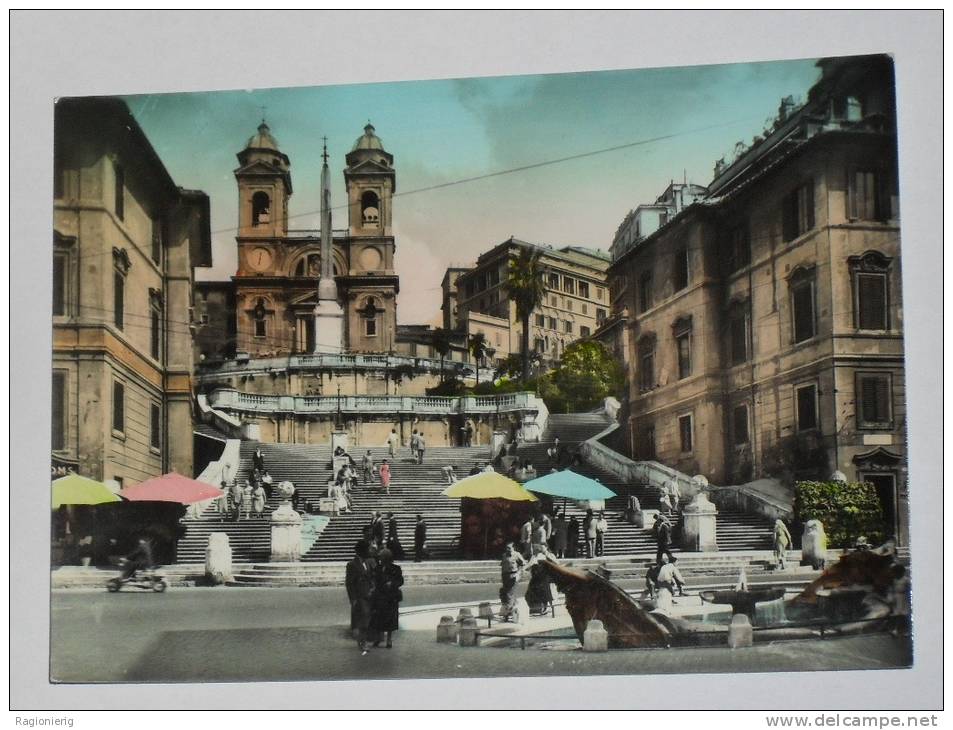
[576, 301]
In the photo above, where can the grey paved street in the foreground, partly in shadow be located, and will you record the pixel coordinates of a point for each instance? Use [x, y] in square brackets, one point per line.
[253, 634]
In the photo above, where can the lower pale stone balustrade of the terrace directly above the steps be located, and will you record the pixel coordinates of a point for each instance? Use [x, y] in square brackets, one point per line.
[227, 400]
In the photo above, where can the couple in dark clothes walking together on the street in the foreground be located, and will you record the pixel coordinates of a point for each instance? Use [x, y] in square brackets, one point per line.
[373, 582]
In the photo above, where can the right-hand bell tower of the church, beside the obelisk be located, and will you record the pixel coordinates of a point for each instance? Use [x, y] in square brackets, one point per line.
[370, 288]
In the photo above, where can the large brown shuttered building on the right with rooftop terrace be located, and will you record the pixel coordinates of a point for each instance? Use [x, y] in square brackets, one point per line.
[766, 320]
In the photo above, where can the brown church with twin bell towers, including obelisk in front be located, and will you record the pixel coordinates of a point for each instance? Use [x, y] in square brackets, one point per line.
[309, 292]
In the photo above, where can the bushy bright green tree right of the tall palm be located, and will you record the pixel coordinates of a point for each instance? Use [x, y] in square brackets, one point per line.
[586, 375]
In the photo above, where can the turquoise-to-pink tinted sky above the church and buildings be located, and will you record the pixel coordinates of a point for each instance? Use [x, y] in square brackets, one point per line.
[447, 130]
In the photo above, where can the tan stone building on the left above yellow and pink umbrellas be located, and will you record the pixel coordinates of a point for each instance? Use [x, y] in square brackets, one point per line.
[125, 241]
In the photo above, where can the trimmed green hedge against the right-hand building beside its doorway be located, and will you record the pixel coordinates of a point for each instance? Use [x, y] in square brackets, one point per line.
[847, 510]
